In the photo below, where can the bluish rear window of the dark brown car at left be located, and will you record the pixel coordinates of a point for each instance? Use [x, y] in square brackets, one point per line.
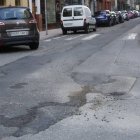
[14, 13]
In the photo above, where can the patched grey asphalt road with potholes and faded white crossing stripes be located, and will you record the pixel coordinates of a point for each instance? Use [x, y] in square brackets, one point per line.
[75, 87]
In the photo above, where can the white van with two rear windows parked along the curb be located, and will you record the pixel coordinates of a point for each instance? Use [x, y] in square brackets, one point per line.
[77, 17]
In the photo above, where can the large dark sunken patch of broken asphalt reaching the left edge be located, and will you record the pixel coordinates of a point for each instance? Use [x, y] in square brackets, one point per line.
[41, 117]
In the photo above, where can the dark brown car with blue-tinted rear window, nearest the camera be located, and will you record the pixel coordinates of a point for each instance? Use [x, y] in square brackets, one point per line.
[18, 27]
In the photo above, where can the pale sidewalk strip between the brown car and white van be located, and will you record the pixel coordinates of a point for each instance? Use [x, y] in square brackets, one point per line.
[51, 33]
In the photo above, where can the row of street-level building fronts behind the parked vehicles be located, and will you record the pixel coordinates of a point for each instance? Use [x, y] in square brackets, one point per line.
[47, 12]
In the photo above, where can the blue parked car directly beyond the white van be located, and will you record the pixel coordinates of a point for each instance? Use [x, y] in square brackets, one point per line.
[104, 18]
